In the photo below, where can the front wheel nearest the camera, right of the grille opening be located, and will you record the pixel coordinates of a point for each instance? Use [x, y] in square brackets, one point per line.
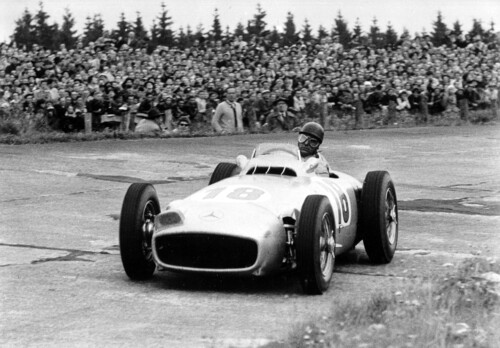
[315, 245]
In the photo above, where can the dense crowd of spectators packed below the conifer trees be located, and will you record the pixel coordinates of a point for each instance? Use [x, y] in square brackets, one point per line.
[119, 85]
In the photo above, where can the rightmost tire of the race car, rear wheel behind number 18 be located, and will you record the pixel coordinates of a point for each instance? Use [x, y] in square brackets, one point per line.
[379, 217]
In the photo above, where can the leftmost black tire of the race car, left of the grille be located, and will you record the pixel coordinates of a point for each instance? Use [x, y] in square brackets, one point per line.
[140, 205]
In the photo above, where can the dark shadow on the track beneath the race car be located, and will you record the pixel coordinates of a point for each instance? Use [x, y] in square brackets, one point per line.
[287, 283]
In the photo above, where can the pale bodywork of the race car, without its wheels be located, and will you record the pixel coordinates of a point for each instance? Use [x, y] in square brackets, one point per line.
[245, 224]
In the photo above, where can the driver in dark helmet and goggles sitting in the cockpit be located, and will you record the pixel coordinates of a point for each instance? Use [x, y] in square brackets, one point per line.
[310, 138]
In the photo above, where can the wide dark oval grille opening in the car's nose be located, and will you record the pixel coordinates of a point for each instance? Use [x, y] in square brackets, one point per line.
[203, 251]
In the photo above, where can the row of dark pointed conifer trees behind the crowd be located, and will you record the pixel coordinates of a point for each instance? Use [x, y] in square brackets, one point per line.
[35, 28]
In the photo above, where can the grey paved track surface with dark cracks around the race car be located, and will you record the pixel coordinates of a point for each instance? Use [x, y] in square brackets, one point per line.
[61, 278]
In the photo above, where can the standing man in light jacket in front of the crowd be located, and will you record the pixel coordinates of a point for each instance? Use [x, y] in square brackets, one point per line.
[228, 116]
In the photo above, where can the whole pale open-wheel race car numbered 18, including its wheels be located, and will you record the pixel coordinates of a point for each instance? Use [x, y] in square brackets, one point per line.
[265, 214]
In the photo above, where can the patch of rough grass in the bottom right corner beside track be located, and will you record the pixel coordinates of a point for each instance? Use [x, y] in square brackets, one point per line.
[460, 309]
